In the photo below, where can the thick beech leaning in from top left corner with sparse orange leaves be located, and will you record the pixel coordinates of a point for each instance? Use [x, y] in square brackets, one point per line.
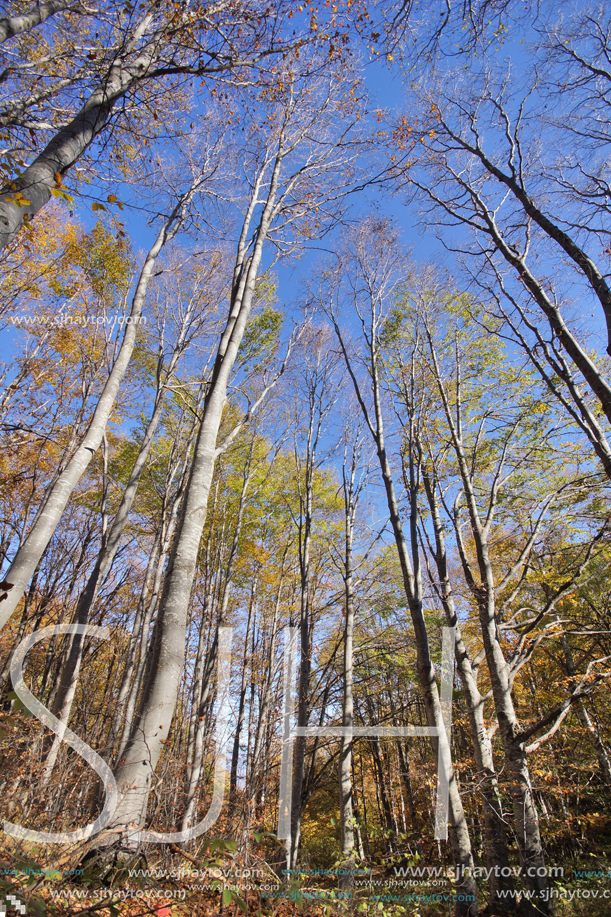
[146, 50]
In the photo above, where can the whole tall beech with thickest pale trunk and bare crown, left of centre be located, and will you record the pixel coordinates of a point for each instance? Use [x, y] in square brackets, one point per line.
[292, 172]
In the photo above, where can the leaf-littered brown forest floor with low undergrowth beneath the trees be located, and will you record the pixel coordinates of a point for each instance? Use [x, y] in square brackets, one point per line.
[175, 886]
